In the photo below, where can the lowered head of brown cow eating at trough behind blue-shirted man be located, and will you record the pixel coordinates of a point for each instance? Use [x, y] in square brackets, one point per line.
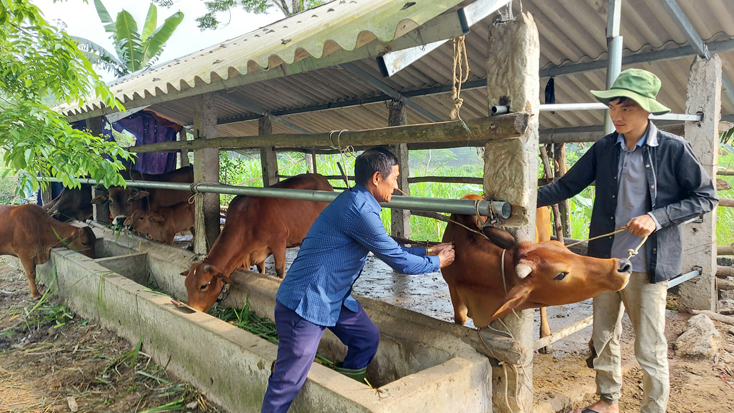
[204, 282]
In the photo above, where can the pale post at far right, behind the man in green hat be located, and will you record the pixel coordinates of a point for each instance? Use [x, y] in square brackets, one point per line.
[699, 240]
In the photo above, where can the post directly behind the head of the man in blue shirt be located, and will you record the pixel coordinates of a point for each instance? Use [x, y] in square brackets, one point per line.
[400, 222]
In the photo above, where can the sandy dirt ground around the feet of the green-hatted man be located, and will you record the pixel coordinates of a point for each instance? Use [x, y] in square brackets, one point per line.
[695, 385]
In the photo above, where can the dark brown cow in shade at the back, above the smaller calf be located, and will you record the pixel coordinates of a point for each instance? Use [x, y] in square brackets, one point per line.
[125, 201]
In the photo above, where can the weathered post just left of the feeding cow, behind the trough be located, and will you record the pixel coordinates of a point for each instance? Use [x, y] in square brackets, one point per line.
[206, 169]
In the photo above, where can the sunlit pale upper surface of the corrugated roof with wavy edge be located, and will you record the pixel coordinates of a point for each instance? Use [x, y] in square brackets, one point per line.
[339, 24]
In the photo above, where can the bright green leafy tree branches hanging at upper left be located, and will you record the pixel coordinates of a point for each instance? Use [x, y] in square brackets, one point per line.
[40, 64]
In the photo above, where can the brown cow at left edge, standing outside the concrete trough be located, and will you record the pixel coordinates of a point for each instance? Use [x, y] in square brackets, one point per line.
[28, 233]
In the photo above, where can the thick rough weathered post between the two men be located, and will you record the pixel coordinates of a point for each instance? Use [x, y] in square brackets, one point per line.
[511, 173]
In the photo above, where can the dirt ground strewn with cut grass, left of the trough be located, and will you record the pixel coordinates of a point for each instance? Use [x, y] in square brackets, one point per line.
[54, 361]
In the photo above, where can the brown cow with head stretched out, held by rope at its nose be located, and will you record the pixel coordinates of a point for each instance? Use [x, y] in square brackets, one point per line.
[535, 275]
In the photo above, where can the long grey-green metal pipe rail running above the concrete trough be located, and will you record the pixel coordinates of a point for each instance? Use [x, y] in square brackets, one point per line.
[450, 206]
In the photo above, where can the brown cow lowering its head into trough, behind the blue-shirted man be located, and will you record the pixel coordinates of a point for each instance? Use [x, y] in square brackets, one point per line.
[255, 228]
